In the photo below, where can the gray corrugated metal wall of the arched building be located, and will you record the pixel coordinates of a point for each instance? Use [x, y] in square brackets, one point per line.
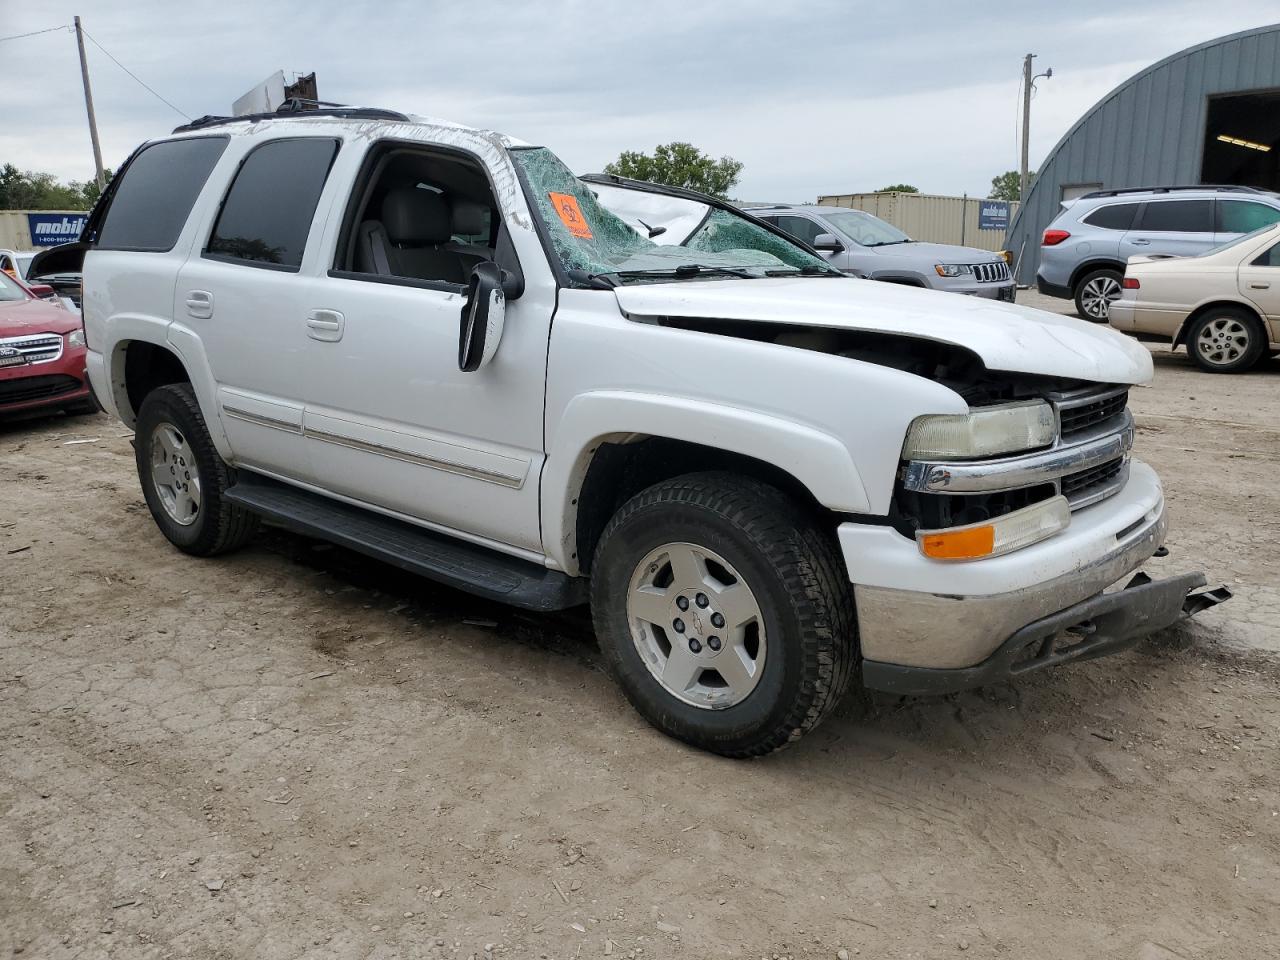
[1150, 131]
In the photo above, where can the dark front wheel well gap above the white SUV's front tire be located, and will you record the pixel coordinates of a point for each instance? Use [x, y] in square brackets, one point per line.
[619, 472]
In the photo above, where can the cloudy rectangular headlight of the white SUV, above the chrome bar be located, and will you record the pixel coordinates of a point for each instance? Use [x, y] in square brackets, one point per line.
[986, 432]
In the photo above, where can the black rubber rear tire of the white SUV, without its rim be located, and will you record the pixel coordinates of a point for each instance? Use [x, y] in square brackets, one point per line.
[218, 525]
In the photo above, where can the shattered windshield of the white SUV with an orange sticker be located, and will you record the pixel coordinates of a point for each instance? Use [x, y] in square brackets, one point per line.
[593, 241]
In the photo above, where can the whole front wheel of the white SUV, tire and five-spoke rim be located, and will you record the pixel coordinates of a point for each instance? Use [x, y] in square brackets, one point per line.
[724, 612]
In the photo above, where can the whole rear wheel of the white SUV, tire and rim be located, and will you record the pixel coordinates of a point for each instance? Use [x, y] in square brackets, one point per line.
[184, 479]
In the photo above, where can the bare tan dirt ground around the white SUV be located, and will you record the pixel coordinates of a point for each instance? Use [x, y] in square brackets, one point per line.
[294, 752]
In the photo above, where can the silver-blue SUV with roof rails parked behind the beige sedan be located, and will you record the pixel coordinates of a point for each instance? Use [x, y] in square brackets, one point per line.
[1085, 252]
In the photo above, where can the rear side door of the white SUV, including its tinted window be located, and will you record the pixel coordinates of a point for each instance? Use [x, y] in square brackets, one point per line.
[244, 292]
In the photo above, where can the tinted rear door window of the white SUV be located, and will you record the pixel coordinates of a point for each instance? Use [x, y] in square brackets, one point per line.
[267, 214]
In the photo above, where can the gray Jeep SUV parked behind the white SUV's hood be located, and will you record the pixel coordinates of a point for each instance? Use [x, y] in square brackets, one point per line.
[862, 245]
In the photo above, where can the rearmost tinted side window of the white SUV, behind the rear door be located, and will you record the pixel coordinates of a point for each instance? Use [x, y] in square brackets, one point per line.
[150, 204]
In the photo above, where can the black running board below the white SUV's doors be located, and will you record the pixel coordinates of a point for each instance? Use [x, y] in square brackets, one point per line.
[446, 560]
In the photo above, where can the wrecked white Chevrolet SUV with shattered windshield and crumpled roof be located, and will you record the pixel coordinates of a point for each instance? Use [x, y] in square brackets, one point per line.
[436, 346]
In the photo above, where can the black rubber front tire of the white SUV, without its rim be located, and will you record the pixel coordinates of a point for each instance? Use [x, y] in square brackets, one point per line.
[798, 579]
